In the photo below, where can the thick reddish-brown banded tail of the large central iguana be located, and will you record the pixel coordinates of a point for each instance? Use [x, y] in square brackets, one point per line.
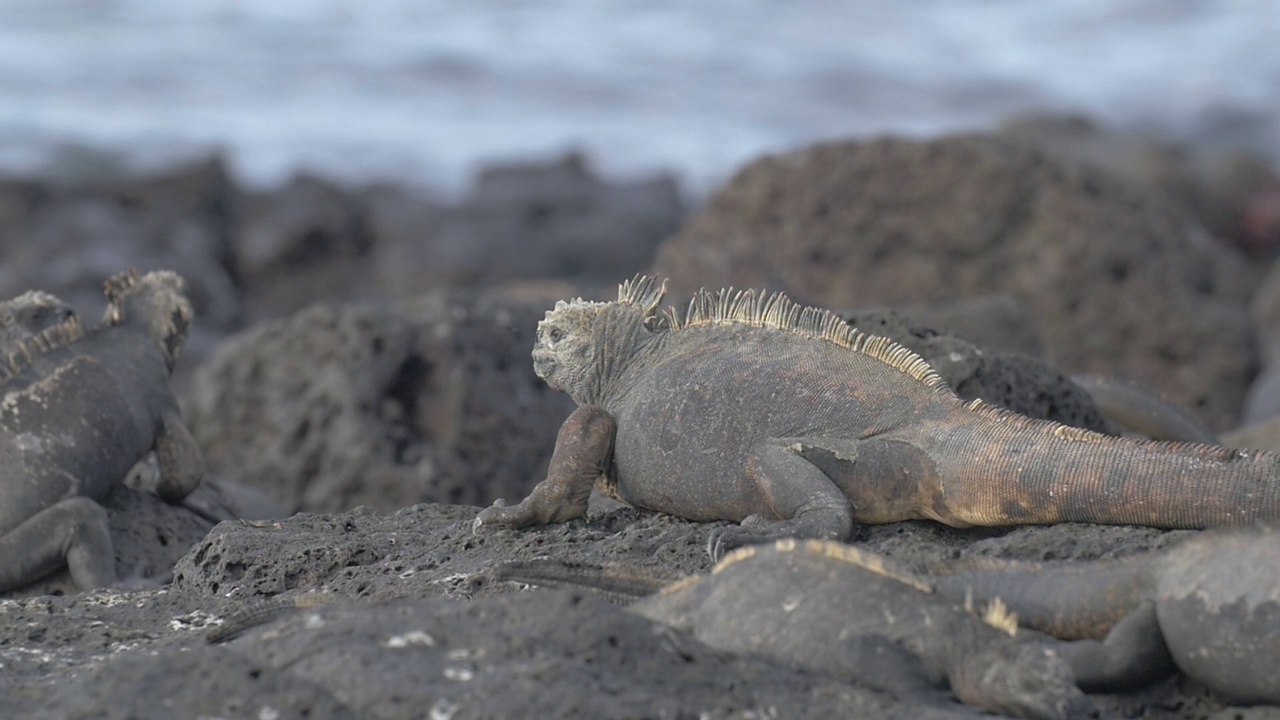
[999, 468]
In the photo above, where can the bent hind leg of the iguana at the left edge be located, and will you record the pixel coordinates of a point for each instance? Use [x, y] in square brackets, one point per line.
[72, 534]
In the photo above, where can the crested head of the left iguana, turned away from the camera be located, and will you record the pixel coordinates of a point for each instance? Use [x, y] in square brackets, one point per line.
[157, 302]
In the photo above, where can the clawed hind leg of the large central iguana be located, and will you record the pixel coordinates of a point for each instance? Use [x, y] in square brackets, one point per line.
[798, 500]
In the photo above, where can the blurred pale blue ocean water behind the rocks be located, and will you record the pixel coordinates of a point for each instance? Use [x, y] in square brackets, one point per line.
[424, 90]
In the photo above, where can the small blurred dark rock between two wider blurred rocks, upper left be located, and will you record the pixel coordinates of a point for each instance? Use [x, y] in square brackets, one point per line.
[304, 243]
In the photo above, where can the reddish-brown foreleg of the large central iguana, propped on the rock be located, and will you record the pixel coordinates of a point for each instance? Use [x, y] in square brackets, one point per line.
[584, 449]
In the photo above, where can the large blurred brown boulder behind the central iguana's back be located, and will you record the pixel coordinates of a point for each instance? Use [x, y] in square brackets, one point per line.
[1118, 282]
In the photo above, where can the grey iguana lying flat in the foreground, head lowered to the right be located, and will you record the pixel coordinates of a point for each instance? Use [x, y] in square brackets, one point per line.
[833, 608]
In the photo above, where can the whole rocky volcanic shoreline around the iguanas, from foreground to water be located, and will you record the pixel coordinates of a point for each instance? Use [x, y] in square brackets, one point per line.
[363, 363]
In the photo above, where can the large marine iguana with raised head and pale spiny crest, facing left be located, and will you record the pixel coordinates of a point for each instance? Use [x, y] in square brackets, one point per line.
[755, 409]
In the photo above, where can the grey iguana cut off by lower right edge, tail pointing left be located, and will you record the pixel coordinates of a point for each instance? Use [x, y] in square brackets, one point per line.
[1212, 605]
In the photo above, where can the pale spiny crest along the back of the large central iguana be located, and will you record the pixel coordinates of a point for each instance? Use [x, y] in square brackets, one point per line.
[764, 311]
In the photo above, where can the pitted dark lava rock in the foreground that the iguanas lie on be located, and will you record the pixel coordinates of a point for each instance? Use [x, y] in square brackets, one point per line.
[414, 627]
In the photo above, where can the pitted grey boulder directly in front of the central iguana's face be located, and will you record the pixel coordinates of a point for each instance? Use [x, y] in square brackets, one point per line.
[381, 404]
